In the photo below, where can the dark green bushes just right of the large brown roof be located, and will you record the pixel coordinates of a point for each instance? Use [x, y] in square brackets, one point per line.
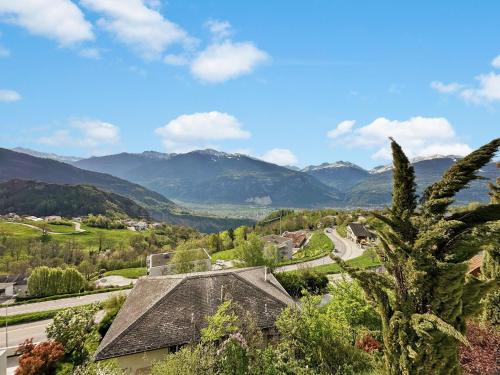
[308, 281]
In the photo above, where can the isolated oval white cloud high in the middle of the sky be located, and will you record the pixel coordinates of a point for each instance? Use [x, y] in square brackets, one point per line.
[226, 60]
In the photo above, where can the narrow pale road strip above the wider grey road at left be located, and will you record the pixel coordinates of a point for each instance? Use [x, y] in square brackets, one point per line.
[61, 303]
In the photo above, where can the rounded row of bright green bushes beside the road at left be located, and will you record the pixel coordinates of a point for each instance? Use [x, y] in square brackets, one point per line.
[45, 281]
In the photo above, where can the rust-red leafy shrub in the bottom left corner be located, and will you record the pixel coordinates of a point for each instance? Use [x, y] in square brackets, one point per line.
[39, 359]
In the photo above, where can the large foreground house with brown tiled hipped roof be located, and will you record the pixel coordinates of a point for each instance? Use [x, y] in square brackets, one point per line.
[164, 313]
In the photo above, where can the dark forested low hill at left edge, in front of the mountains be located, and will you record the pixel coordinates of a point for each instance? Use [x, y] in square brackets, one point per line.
[42, 199]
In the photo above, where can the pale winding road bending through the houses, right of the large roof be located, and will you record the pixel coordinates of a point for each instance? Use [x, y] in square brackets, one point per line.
[344, 248]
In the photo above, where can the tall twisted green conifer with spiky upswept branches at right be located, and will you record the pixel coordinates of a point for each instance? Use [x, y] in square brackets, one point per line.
[426, 294]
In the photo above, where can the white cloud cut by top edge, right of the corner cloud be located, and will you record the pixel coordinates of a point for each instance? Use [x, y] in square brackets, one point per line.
[139, 25]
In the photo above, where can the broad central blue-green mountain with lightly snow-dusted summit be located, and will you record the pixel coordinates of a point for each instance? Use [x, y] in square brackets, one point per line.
[209, 176]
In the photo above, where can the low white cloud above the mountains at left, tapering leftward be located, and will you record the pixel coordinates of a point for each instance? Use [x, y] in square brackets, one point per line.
[89, 134]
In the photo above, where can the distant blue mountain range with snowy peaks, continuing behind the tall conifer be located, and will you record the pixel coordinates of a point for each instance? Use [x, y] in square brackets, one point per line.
[213, 177]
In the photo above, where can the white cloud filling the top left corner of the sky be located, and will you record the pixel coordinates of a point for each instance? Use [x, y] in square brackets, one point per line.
[60, 20]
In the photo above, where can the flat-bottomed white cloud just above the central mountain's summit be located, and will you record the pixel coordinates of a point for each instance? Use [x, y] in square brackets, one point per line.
[197, 130]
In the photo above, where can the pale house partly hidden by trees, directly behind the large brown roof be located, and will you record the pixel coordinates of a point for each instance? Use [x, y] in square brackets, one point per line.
[160, 264]
